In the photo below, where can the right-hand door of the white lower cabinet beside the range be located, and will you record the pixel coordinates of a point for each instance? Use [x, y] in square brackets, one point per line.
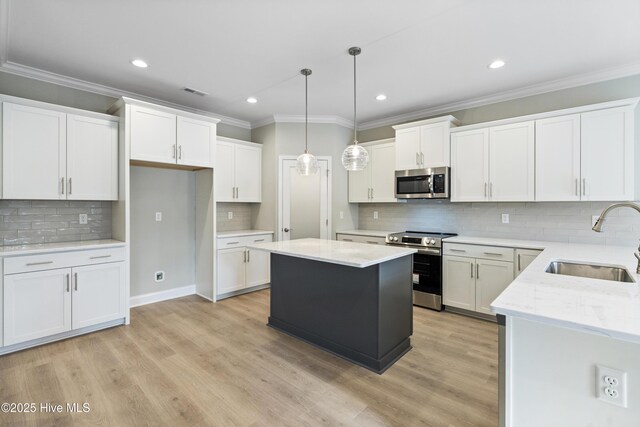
[492, 277]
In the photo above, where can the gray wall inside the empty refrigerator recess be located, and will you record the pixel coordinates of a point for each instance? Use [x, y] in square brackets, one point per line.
[168, 245]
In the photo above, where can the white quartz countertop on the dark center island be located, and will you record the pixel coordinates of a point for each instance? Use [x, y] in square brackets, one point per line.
[345, 253]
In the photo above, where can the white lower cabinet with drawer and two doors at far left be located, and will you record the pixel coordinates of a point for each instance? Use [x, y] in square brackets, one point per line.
[41, 303]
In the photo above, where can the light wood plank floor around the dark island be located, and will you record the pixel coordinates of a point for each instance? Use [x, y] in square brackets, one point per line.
[190, 362]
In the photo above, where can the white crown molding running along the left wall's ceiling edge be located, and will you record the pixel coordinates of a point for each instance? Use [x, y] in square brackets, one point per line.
[70, 82]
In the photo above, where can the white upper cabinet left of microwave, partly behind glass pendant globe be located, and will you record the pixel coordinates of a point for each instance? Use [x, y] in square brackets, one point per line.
[375, 184]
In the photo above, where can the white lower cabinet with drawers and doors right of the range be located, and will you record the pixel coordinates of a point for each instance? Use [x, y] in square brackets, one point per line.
[474, 276]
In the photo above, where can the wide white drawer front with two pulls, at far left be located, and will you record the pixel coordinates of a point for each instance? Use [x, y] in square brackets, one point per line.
[39, 262]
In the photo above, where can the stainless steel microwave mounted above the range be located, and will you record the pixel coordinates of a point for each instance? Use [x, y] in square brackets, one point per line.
[432, 183]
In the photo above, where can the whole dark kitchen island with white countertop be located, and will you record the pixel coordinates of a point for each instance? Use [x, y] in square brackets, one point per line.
[351, 299]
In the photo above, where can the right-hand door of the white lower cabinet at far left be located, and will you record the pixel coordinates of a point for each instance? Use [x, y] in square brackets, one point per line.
[98, 294]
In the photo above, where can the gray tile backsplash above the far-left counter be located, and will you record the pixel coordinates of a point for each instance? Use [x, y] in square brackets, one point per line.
[24, 222]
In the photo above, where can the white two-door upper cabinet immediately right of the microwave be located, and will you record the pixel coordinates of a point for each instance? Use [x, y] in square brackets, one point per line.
[494, 164]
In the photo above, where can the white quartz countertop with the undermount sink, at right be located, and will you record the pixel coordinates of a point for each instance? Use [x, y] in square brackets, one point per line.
[596, 306]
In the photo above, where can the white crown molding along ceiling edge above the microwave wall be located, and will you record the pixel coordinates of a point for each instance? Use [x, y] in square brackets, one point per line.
[536, 89]
